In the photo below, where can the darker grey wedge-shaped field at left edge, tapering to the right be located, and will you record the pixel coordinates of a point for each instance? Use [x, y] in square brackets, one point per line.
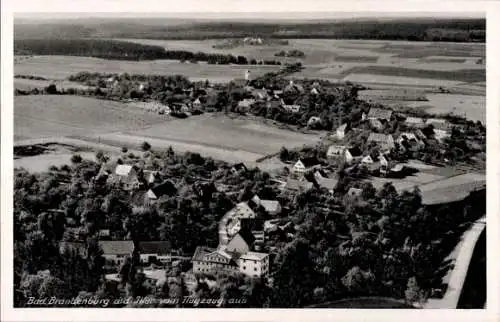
[59, 115]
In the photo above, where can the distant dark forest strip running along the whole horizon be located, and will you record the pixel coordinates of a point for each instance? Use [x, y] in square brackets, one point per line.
[455, 30]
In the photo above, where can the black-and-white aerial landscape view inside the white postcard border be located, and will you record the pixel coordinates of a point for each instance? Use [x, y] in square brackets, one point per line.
[249, 162]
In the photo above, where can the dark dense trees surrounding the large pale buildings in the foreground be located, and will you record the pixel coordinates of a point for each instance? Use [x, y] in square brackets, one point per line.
[381, 243]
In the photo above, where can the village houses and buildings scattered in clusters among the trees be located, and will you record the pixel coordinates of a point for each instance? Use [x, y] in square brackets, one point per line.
[245, 230]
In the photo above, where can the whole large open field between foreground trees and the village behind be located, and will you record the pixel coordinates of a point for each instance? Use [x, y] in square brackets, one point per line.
[114, 124]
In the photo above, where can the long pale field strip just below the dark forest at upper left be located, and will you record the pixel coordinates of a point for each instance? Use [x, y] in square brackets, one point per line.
[60, 67]
